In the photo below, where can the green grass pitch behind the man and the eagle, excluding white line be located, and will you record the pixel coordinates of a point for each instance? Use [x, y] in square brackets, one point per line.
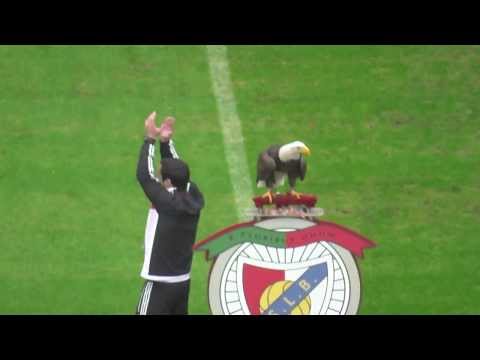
[394, 133]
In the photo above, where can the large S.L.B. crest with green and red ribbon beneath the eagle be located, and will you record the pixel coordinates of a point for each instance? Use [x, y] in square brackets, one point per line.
[284, 262]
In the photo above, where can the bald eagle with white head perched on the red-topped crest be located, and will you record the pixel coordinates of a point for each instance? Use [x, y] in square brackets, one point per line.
[280, 161]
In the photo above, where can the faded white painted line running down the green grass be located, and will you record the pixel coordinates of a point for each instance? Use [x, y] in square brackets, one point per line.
[231, 127]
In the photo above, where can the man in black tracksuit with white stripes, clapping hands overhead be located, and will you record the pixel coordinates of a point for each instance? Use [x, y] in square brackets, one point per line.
[171, 224]
